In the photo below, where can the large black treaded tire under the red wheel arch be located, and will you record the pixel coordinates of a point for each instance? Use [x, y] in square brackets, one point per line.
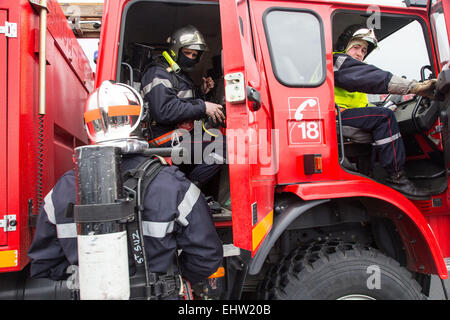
[331, 270]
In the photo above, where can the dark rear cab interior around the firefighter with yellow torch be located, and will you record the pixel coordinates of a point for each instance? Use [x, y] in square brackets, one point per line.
[146, 26]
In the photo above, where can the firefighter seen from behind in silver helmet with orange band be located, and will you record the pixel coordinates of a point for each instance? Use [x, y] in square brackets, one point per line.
[175, 214]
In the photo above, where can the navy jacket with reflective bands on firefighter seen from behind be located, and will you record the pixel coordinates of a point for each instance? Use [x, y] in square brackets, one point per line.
[176, 216]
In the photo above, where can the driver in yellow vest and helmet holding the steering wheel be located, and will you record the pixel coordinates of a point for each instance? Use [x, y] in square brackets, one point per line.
[353, 79]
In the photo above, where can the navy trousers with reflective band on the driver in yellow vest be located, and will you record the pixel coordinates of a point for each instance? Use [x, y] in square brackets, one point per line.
[382, 124]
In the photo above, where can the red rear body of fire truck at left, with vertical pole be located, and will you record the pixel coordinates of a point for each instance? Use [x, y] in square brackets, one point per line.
[45, 78]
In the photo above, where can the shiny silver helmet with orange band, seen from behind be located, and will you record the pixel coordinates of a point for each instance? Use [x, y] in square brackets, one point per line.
[112, 116]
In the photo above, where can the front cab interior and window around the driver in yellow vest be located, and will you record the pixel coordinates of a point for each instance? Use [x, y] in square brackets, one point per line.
[418, 118]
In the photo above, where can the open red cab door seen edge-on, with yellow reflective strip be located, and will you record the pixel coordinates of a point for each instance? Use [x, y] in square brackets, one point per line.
[251, 155]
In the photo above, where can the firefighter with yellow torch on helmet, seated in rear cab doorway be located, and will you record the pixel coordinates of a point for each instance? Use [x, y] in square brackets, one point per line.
[175, 104]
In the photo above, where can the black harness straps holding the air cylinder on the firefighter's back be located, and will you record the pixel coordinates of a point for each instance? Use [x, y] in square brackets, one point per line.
[128, 210]
